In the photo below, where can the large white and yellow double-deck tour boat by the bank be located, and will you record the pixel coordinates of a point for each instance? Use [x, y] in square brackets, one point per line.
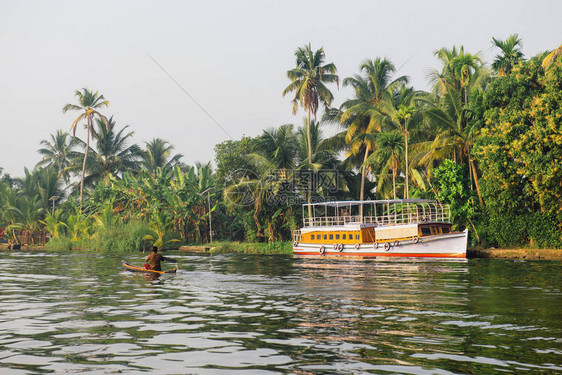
[379, 228]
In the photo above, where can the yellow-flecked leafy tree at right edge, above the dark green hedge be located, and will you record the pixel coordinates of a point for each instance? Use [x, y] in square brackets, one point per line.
[521, 144]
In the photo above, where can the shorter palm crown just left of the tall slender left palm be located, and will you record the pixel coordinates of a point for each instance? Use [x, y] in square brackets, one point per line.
[57, 153]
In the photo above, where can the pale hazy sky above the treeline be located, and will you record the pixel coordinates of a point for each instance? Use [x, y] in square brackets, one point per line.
[231, 56]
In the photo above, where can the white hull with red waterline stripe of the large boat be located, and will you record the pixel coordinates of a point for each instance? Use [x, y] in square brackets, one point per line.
[451, 245]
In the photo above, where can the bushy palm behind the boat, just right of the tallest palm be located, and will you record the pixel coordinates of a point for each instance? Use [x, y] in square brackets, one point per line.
[363, 114]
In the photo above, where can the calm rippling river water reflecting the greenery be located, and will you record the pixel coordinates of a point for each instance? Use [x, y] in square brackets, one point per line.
[222, 314]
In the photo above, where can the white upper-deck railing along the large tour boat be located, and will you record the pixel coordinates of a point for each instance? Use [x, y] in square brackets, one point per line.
[407, 214]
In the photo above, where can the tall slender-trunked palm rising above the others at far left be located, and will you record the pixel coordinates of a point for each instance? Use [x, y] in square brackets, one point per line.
[89, 102]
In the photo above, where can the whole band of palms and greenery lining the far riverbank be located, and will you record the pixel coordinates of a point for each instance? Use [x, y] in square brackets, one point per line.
[485, 139]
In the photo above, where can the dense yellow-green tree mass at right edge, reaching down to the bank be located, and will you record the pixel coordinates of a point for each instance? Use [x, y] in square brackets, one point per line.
[520, 153]
